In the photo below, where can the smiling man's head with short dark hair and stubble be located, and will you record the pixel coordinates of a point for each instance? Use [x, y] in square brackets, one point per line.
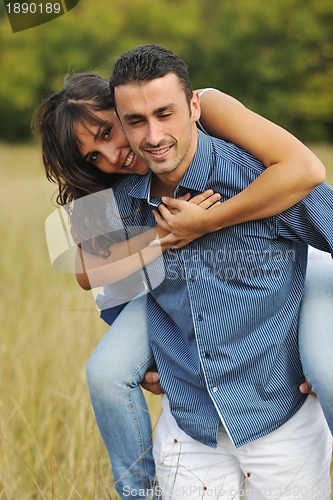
[157, 108]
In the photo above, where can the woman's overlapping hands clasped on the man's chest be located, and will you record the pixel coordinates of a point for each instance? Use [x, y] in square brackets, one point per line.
[185, 220]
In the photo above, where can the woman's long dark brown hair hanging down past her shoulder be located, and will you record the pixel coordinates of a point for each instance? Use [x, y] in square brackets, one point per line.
[81, 97]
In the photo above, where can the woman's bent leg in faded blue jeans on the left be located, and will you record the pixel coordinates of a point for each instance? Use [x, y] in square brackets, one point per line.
[114, 371]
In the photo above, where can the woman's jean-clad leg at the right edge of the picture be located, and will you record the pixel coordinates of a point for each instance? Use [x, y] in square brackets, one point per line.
[316, 333]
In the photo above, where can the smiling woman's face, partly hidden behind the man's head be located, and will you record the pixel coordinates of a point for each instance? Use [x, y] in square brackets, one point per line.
[106, 146]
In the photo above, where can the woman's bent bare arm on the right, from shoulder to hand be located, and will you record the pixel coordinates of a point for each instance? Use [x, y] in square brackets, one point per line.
[292, 170]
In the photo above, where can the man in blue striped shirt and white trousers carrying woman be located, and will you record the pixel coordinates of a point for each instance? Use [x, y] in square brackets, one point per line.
[223, 323]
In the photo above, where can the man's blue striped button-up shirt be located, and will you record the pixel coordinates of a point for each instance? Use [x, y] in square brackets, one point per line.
[223, 323]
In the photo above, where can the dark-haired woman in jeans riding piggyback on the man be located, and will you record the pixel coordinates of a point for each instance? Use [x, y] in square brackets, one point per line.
[83, 144]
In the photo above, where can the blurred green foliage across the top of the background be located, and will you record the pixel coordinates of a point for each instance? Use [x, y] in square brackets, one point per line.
[276, 57]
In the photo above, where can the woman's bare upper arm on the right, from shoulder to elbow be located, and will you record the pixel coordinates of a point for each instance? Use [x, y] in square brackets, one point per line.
[225, 117]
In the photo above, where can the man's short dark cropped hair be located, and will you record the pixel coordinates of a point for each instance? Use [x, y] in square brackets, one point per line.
[147, 62]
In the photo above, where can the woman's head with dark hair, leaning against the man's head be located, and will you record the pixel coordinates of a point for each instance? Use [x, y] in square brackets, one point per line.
[82, 140]
